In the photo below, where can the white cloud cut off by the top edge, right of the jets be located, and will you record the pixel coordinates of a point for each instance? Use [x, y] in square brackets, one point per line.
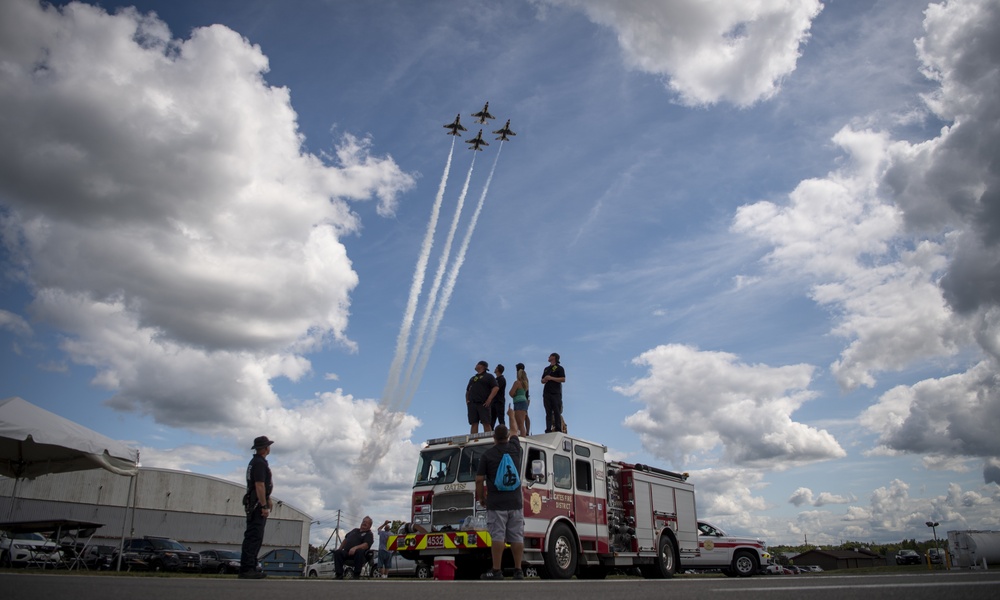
[709, 50]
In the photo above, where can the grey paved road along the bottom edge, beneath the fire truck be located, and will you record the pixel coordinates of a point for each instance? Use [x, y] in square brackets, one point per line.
[926, 586]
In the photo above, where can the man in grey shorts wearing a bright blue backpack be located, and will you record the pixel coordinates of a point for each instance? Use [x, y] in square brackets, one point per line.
[498, 486]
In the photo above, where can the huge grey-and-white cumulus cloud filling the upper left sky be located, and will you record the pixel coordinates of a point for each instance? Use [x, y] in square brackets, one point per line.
[166, 215]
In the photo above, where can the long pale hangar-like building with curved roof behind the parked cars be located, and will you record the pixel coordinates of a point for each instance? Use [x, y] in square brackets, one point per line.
[197, 510]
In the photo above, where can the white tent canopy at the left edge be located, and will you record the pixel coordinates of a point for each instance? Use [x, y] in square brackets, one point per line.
[35, 442]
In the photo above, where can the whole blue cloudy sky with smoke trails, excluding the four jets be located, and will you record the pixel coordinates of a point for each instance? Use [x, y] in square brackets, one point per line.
[763, 236]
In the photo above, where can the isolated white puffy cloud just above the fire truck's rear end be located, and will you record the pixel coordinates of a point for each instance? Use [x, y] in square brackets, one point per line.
[696, 401]
